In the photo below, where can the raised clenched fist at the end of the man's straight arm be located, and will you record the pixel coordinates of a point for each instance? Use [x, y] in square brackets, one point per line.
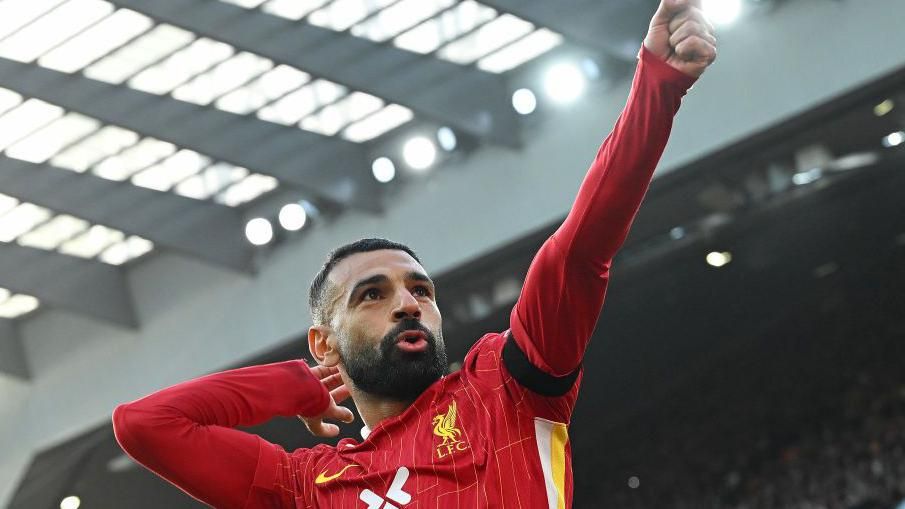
[681, 35]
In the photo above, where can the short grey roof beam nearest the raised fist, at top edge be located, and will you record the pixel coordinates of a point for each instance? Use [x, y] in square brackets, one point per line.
[614, 27]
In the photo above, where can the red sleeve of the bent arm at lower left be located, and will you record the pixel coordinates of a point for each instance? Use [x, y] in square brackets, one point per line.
[183, 433]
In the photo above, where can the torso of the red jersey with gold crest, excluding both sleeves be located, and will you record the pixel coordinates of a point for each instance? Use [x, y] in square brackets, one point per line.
[476, 438]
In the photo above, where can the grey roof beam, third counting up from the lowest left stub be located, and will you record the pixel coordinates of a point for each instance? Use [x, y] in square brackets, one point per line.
[205, 230]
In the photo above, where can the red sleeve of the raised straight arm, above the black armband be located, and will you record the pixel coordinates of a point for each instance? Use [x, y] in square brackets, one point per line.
[565, 286]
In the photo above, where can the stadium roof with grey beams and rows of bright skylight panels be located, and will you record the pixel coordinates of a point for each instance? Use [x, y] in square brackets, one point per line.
[128, 127]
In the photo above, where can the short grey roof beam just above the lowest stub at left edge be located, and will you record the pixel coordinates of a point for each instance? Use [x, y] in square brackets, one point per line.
[87, 287]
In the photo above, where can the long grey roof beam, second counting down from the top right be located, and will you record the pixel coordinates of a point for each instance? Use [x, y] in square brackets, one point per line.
[464, 97]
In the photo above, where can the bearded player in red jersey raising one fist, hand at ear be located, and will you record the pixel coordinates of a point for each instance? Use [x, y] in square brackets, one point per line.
[493, 434]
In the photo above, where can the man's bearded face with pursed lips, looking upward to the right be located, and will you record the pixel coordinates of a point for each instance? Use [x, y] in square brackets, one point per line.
[385, 328]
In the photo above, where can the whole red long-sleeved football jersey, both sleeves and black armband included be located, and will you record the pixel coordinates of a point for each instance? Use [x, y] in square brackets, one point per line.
[493, 434]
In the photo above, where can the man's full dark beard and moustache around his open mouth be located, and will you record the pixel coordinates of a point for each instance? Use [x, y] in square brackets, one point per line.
[390, 372]
